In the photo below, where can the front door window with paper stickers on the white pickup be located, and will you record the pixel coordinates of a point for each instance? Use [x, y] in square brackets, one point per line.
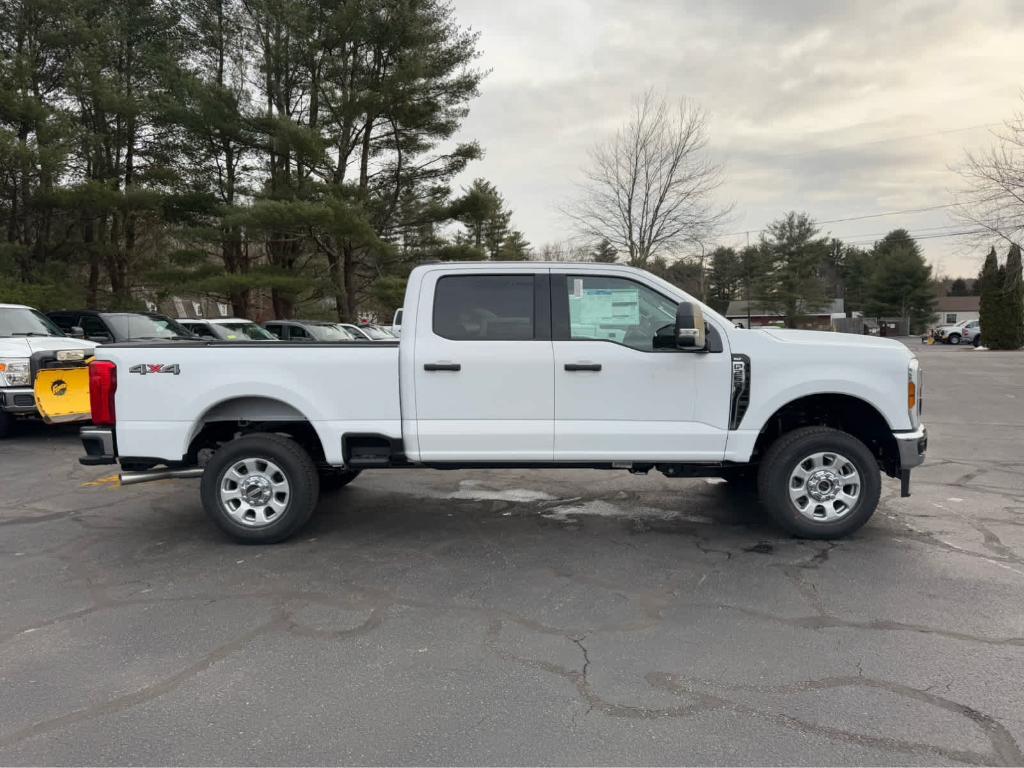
[617, 310]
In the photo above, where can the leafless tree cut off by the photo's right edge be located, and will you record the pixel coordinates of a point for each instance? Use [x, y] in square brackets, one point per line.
[993, 202]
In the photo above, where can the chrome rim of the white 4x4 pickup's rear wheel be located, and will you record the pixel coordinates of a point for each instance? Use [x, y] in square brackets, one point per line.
[254, 492]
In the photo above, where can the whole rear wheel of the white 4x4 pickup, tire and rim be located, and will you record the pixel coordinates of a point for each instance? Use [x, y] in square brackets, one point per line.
[261, 489]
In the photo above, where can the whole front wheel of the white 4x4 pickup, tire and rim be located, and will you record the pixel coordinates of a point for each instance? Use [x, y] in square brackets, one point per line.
[819, 483]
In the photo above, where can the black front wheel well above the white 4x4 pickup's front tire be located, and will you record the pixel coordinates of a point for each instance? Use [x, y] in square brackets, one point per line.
[842, 412]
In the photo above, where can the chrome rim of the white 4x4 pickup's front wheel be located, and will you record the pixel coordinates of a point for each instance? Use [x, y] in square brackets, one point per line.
[825, 487]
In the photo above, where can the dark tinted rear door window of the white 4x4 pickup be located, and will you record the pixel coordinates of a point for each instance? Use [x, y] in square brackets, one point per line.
[485, 308]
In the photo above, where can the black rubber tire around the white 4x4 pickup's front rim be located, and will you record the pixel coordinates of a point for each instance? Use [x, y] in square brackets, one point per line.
[781, 466]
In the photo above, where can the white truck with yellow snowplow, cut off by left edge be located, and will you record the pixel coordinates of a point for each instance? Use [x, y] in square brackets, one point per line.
[29, 342]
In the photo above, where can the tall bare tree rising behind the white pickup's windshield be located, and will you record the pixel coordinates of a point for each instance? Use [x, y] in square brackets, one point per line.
[649, 189]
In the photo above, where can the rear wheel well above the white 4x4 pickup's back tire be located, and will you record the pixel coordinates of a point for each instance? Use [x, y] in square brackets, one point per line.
[242, 416]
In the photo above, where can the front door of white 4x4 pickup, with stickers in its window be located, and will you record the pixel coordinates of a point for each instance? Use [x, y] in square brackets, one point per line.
[618, 398]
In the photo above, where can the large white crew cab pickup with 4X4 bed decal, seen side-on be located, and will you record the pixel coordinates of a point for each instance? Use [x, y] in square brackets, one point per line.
[519, 365]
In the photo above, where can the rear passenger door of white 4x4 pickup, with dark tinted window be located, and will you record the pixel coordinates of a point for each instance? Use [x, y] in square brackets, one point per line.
[483, 367]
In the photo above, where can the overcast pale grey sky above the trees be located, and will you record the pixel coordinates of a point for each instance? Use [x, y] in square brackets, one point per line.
[841, 109]
